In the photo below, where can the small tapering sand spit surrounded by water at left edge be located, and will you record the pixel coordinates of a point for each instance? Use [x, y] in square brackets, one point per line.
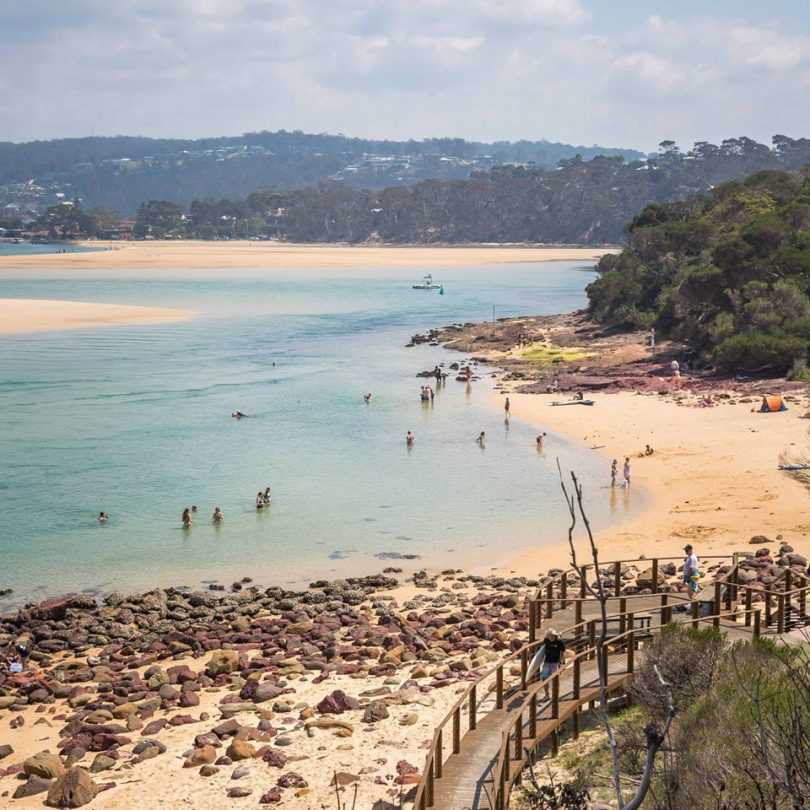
[34, 315]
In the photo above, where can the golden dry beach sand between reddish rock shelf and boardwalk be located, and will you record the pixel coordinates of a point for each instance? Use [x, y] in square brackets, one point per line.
[713, 478]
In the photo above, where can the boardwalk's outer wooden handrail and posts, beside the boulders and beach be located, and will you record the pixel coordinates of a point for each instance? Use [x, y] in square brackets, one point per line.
[726, 591]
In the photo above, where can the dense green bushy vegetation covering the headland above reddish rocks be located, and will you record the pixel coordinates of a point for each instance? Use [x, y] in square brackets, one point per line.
[727, 273]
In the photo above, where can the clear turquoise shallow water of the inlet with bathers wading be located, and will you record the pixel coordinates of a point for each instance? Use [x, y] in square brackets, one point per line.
[135, 421]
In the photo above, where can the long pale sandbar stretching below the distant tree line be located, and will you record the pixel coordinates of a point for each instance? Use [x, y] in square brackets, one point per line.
[171, 255]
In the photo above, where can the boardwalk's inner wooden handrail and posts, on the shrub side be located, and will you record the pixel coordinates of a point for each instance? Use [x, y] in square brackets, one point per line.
[504, 773]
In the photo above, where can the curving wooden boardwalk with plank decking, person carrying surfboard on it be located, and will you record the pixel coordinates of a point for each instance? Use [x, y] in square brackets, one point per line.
[492, 752]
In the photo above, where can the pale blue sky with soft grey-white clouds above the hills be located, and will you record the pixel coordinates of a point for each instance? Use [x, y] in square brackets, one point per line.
[612, 72]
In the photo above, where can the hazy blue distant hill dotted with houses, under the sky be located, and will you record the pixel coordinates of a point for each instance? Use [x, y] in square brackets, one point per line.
[122, 172]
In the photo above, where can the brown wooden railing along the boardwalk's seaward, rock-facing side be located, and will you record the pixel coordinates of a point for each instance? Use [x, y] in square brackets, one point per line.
[777, 605]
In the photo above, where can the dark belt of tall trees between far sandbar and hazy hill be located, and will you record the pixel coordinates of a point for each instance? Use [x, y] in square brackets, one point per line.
[577, 202]
